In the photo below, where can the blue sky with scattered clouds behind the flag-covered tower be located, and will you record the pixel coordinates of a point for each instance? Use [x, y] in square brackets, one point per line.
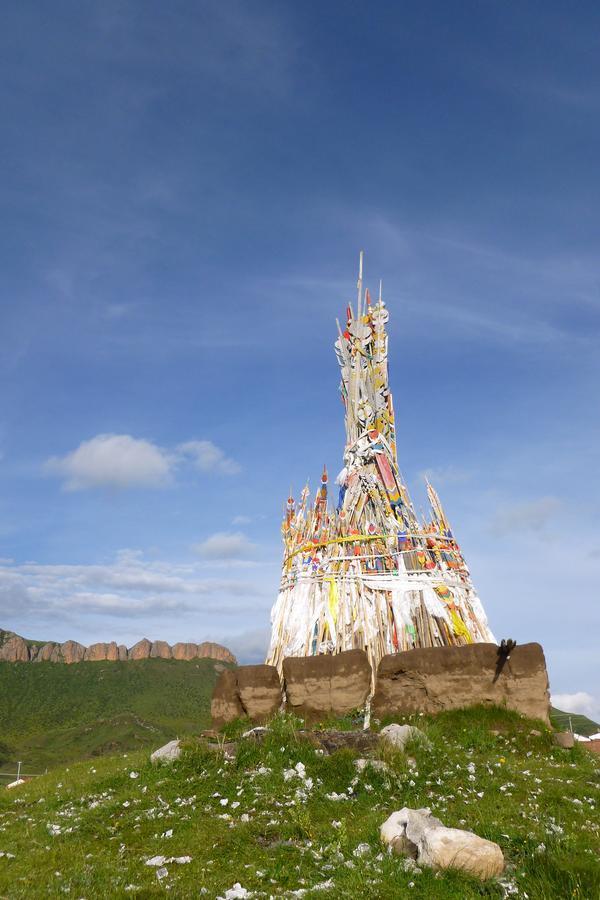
[185, 188]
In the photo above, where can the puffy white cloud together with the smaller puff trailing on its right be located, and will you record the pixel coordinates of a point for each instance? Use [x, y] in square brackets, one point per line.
[122, 461]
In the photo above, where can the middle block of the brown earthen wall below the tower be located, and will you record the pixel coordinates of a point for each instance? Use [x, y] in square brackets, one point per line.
[321, 686]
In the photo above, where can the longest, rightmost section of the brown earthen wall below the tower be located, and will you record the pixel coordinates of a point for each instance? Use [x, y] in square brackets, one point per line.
[436, 678]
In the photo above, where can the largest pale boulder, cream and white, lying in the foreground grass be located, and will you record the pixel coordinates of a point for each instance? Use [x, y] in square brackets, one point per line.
[416, 833]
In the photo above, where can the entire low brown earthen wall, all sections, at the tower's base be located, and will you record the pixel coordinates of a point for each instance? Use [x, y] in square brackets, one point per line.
[425, 680]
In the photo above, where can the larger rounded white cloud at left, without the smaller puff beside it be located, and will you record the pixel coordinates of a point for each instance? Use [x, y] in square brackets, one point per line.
[113, 460]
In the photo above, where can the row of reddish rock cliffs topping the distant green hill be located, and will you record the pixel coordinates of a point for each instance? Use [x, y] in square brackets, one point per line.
[14, 648]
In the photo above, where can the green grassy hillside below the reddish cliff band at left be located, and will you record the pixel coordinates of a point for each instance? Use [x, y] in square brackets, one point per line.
[52, 714]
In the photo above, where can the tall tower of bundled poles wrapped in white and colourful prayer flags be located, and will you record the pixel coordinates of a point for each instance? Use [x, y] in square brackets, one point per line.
[368, 574]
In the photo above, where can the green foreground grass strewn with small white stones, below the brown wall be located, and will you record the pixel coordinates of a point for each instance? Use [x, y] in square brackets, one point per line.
[88, 830]
